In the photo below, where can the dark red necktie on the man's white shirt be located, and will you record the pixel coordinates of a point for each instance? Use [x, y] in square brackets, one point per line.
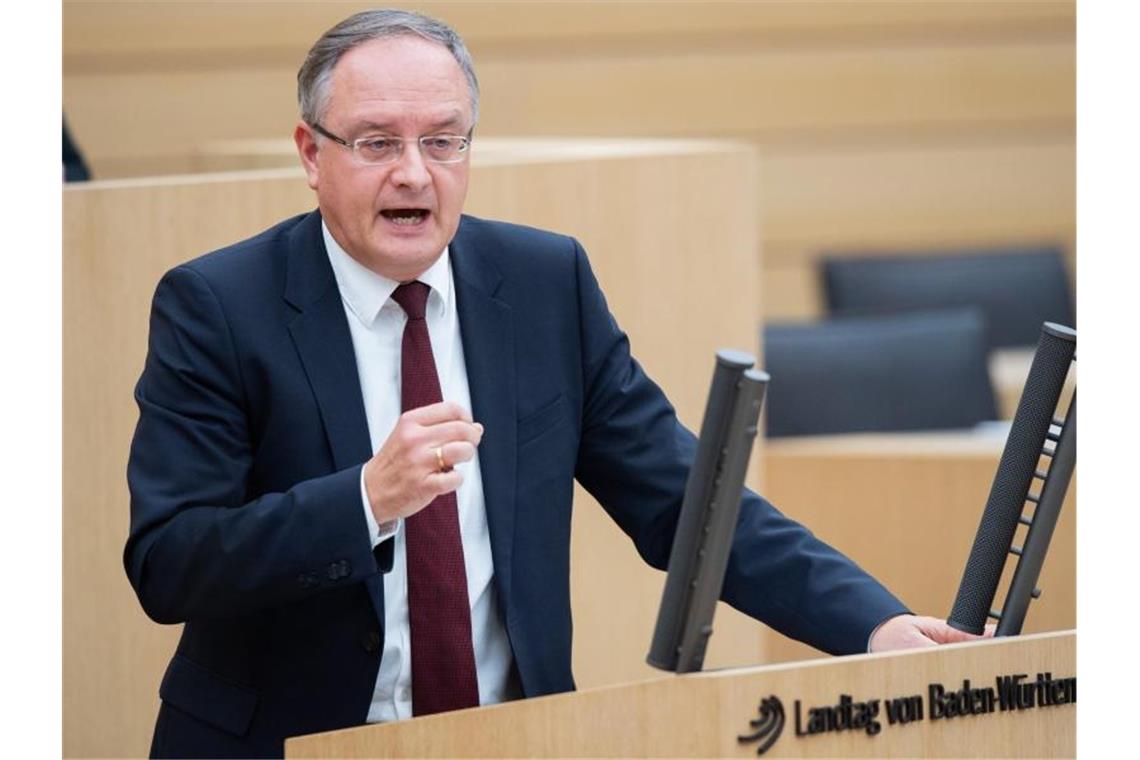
[443, 656]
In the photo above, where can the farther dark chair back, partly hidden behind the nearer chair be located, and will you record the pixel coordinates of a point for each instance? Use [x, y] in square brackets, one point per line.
[1017, 289]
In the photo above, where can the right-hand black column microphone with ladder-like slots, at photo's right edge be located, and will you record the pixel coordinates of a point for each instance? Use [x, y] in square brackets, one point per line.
[1035, 435]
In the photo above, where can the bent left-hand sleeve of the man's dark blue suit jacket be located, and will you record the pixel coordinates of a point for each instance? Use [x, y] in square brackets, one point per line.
[200, 545]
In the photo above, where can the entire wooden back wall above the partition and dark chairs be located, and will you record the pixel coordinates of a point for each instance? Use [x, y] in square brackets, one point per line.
[882, 125]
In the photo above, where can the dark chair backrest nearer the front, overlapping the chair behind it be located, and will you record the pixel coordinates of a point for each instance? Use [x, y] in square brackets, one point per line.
[922, 371]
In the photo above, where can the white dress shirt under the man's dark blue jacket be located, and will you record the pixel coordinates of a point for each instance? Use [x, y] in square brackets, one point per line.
[377, 324]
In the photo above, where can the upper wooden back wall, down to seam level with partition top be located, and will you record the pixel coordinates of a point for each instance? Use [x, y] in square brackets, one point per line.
[146, 84]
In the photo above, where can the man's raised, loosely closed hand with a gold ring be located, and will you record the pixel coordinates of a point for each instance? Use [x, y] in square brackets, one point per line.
[404, 477]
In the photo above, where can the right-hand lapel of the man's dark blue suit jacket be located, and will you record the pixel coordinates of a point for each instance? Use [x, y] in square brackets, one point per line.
[487, 328]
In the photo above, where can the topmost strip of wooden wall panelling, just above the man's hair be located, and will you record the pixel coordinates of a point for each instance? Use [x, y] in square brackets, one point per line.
[117, 35]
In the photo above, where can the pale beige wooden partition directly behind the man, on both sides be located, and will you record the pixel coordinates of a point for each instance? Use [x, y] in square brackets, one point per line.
[659, 274]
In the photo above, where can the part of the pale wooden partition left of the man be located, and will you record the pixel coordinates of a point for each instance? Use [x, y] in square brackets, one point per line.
[119, 238]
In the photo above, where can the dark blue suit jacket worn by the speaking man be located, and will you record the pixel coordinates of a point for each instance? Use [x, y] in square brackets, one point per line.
[247, 521]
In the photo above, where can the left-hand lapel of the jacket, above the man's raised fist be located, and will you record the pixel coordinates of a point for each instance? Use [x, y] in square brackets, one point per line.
[321, 334]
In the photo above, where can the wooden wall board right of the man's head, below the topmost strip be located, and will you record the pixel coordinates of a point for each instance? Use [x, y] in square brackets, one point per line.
[818, 94]
